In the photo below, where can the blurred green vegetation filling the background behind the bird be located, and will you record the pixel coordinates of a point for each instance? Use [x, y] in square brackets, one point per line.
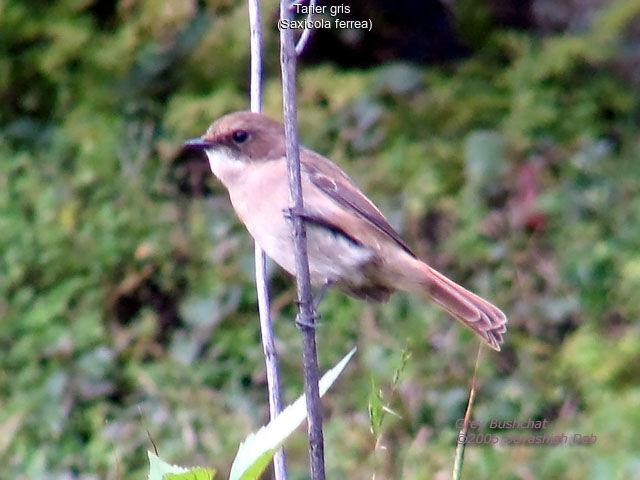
[126, 295]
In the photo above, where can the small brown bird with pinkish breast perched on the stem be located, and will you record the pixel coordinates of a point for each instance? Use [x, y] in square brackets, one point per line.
[351, 245]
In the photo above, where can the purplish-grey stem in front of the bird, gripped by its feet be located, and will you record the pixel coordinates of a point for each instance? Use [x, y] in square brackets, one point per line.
[305, 298]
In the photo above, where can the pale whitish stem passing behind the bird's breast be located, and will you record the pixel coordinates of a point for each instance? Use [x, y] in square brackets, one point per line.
[268, 343]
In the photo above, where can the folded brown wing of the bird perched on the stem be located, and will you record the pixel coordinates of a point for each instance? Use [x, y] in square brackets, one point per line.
[333, 182]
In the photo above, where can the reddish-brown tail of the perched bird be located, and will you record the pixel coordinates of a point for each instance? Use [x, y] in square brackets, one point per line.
[481, 316]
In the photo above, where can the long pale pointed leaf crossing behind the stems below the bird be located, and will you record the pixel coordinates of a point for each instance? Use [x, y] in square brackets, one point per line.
[256, 451]
